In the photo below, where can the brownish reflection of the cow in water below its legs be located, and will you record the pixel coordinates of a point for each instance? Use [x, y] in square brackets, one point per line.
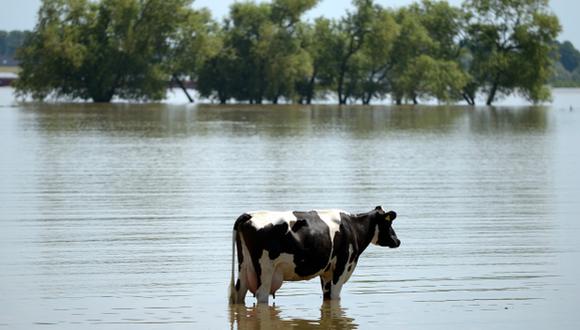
[261, 316]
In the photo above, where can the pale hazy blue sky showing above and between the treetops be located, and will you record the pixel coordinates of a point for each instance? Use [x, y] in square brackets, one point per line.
[21, 14]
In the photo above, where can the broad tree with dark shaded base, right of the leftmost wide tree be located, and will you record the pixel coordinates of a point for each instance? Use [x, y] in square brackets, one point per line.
[261, 54]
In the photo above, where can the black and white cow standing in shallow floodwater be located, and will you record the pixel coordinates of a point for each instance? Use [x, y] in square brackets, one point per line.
[292, 246]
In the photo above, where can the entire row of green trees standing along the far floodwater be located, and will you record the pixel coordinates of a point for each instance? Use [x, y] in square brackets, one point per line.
[267, 52]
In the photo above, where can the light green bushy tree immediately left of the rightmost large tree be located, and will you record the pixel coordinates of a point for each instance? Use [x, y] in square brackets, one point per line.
[426, 56]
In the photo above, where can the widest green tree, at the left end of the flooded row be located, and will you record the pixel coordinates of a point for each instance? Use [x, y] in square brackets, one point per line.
[99, 50]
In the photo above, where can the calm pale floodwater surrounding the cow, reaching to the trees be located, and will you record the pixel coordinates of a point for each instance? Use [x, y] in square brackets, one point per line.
[120, 216]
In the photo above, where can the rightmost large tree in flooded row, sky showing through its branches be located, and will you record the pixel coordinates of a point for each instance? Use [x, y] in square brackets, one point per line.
[510, 43]
